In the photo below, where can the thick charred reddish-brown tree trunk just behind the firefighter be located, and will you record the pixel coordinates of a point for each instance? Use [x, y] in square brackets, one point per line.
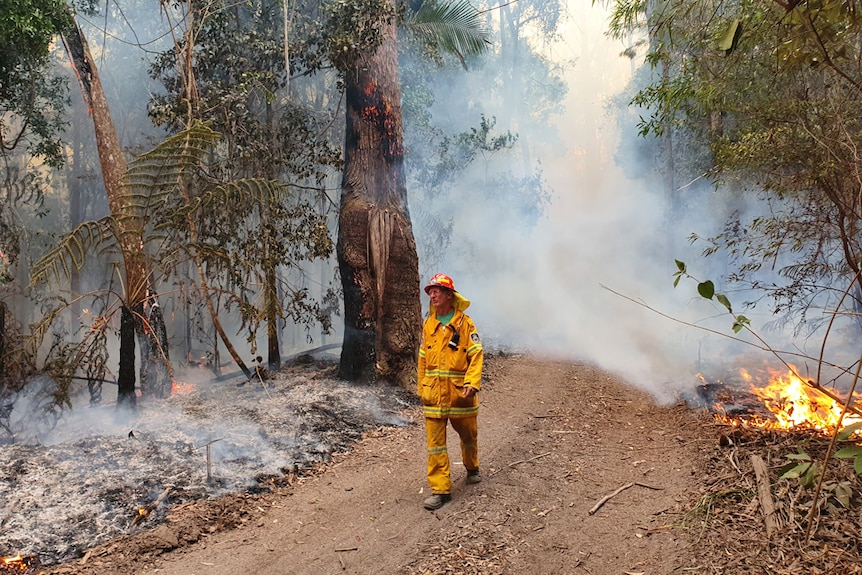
[376, 250]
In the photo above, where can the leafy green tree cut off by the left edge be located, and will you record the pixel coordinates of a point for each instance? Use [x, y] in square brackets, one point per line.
[31, 104]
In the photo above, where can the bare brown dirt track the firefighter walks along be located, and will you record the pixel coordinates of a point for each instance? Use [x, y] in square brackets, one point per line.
[555, 438]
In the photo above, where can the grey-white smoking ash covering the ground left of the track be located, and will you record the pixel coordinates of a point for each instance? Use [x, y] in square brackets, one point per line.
[83, 482]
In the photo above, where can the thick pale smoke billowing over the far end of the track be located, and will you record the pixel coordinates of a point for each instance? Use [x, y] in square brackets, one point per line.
[550, 288]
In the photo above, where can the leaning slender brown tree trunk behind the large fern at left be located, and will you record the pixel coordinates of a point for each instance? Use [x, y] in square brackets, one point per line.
[129, 227]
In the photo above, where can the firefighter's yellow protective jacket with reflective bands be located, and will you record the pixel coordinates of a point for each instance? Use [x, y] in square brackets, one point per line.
[444, 370]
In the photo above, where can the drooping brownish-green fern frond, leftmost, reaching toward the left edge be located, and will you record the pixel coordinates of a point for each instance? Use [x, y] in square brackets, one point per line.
[72, 250]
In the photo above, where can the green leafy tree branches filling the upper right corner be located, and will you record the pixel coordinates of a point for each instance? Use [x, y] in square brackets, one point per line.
[773, 88]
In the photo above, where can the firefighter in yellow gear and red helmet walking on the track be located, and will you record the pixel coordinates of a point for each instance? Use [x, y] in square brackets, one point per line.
[449, 378]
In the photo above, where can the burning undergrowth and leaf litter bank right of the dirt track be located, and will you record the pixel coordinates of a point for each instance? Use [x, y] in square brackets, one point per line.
[782, 498]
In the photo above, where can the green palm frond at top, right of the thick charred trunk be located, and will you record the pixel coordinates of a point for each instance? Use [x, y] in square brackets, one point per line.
[454, 27]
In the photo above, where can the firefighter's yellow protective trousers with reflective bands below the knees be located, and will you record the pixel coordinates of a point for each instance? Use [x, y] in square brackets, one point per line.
[438, 453]
